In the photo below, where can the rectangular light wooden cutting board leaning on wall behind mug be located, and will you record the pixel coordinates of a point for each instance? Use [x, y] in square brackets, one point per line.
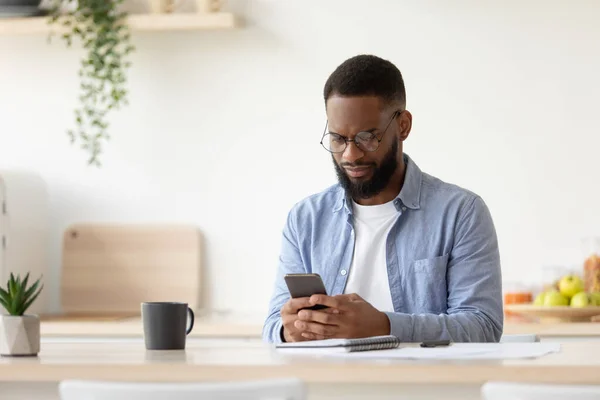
[109, 270]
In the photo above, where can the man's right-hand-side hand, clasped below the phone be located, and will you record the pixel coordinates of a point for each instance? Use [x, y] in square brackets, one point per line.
[348, 316]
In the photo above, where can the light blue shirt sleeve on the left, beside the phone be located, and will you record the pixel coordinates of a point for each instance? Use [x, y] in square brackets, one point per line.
[290, 261]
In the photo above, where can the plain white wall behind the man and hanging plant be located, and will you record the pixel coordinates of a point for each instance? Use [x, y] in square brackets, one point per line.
[223, 127]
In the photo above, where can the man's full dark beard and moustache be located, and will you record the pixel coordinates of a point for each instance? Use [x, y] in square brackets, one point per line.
[379, 180]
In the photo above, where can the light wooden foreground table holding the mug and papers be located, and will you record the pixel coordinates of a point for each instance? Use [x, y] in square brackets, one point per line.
[206, 360]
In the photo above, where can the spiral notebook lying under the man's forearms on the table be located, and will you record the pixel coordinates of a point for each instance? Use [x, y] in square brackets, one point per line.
[346, 345]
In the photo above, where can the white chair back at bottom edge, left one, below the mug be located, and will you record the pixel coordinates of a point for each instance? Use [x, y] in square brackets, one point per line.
[277, 389]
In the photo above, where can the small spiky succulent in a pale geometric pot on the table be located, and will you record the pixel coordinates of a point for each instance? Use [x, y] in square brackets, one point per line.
[19, 332]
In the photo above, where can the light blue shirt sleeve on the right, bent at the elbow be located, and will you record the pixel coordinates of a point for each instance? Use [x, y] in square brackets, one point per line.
[475, 312]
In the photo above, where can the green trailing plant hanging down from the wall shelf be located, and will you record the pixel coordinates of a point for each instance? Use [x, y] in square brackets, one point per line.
[104, 33]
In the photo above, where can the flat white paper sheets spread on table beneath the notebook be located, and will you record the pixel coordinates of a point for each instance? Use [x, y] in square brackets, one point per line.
[456, 351]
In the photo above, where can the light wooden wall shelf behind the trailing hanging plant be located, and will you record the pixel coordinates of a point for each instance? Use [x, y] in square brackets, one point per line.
[137, 22]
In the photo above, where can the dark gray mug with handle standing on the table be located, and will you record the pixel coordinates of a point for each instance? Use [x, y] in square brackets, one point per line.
[166, 325]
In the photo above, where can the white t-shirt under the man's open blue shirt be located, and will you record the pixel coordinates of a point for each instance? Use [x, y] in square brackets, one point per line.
[368, 275]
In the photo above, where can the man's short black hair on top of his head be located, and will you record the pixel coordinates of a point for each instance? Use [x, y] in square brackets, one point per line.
[367, 75]
